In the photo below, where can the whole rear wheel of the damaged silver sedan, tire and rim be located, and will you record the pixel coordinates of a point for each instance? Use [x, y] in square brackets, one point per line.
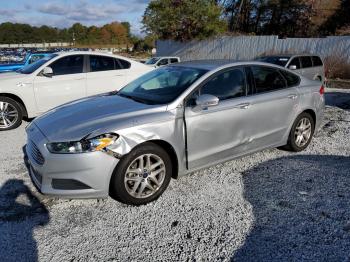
[299, 136]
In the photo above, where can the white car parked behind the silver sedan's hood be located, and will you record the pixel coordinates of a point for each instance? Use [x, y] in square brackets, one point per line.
[60, 78]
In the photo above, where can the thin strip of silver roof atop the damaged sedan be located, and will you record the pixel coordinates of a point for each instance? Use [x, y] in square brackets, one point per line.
[220, 63]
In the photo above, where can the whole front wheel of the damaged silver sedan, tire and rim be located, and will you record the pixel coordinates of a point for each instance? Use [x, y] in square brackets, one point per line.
[133, 185]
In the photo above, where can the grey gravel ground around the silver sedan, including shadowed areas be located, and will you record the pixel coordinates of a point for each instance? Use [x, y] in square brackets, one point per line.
[272, 205]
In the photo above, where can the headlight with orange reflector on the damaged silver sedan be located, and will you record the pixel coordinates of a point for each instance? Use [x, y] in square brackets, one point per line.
[95, 144]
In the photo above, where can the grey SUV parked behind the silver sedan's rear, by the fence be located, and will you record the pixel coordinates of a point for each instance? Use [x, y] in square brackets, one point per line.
[310, 66]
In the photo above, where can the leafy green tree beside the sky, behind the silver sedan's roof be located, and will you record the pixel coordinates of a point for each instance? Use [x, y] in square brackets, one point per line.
[183, 19]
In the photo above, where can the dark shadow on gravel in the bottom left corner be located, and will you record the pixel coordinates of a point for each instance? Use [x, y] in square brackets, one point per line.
[20, 213]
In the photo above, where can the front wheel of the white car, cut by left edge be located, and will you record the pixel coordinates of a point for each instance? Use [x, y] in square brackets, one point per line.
[11, 114]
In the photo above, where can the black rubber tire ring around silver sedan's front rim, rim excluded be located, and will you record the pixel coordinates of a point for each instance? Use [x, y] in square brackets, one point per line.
[117, 186]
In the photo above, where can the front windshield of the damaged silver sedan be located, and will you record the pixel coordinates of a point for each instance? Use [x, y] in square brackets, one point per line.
[161, 86]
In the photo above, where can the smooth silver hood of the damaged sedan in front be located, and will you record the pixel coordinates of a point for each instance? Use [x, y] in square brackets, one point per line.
[90, 117]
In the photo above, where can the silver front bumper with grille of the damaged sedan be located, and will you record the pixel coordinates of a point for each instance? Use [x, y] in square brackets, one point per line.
[84, 175]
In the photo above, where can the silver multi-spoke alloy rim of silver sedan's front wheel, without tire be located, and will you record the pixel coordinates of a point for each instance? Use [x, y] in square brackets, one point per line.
[144, 176]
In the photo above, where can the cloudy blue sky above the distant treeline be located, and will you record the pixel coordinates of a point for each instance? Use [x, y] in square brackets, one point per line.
[64, 13]
